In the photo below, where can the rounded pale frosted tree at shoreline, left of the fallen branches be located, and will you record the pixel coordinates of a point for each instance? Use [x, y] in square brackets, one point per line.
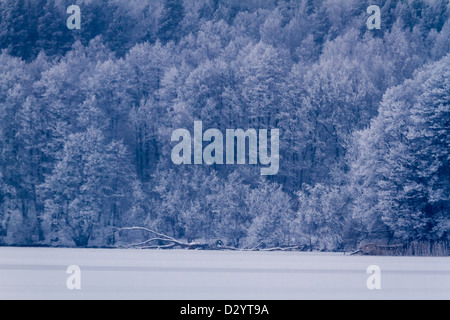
[86, 192]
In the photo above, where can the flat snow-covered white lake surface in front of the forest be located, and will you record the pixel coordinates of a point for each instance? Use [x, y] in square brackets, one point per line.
[40, 273]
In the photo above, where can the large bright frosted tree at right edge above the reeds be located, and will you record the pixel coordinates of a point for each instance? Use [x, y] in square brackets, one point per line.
[406, 183]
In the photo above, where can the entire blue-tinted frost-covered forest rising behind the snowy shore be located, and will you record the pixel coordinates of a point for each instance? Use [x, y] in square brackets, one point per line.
[86, 118]
